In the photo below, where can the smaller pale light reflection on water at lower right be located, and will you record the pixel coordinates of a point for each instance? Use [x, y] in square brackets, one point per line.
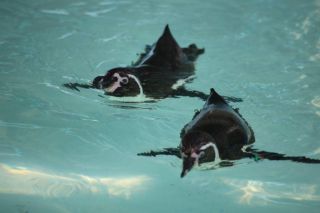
[259, 192]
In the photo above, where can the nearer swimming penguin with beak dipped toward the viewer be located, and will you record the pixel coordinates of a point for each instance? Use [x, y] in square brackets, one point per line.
[219, 134]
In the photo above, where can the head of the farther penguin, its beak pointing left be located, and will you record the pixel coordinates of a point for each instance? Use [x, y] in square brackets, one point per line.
[118, 82]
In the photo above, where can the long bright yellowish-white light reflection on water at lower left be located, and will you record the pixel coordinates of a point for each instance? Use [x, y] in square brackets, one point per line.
[23, 181]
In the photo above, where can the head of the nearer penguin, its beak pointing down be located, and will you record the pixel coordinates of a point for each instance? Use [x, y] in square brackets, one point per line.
[197, 147]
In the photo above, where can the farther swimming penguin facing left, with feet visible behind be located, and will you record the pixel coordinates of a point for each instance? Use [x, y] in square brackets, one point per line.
[160, 72]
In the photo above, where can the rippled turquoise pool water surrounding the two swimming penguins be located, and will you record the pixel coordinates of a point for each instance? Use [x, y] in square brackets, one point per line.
[69, 151]
